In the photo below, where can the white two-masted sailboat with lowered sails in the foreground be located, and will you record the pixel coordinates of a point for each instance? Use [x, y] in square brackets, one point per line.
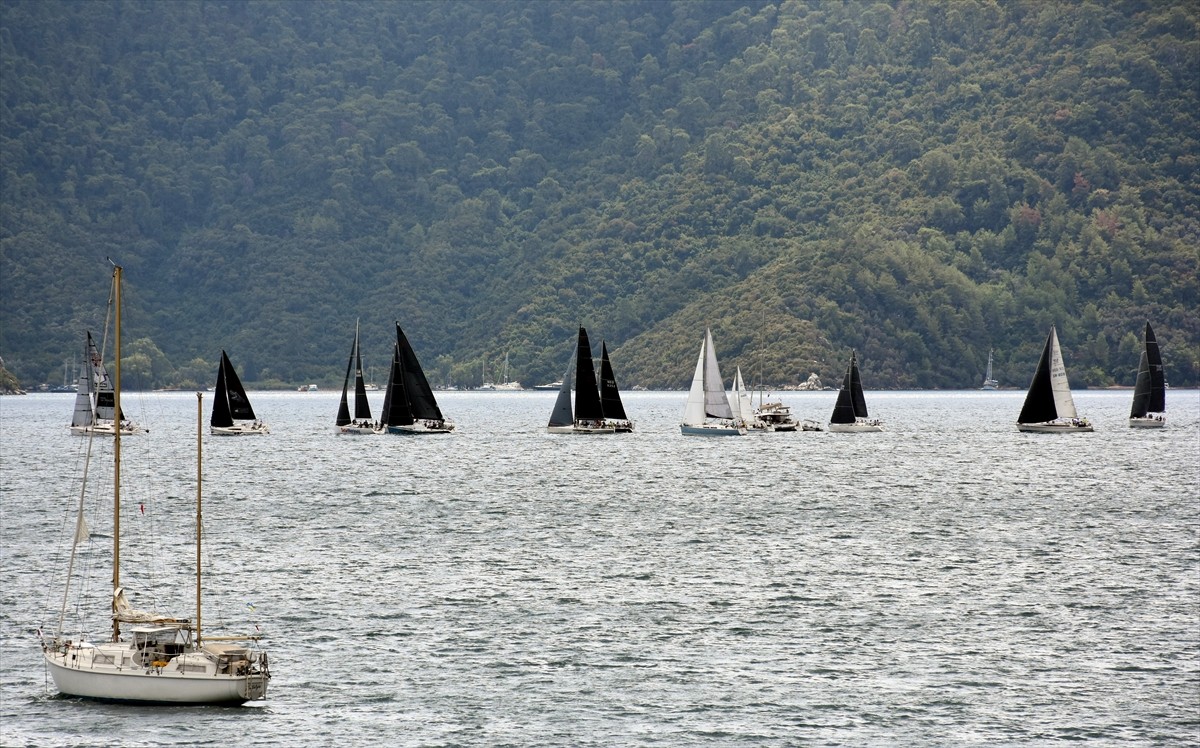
[151, 659]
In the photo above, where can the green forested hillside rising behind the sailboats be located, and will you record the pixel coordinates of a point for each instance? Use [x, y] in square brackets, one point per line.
[921, 182]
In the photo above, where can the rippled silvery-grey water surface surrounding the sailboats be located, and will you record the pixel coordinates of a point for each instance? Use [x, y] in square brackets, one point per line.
[947, 583]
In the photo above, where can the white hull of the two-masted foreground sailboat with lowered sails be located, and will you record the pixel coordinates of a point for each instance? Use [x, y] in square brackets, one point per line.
[131, 683]
